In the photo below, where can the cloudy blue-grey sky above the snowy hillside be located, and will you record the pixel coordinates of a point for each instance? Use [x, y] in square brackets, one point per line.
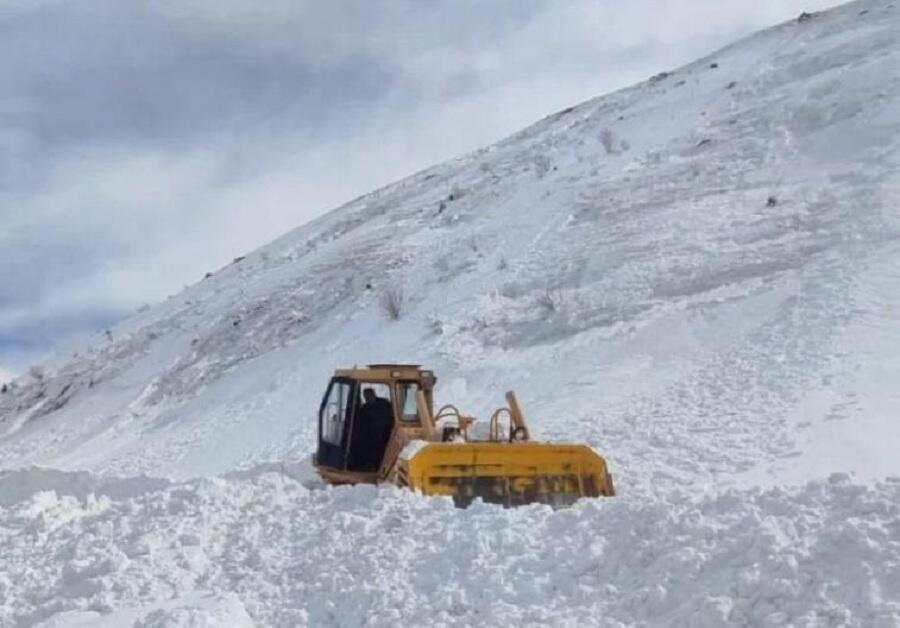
[143, 144]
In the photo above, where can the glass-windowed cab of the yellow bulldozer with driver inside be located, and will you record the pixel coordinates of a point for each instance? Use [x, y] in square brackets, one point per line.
[361, 410]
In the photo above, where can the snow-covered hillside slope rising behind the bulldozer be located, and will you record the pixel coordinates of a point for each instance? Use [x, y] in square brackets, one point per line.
[618, 263]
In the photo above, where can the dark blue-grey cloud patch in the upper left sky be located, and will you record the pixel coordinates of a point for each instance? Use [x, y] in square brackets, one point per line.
[119, 73]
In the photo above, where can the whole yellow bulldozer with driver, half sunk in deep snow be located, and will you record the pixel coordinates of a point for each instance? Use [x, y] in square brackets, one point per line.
[377, 424]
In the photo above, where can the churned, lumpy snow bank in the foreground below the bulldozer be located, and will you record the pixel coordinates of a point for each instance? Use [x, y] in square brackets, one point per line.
[269, 551]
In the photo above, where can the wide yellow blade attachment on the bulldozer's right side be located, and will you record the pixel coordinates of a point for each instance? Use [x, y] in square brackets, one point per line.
[511, 474]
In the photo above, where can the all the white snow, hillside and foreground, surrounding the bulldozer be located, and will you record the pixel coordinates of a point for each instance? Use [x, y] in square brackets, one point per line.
[618, 264]
